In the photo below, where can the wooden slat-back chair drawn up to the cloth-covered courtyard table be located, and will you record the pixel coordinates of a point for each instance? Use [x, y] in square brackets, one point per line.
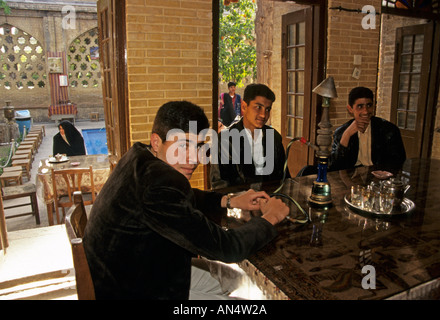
[65, 182]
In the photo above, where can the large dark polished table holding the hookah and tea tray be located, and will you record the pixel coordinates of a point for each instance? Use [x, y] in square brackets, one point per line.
[324, 258]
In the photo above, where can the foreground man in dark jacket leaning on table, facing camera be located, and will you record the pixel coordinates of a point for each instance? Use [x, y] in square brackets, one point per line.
[147, 223]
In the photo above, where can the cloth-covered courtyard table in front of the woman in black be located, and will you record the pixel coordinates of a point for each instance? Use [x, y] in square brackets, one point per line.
[101, 171]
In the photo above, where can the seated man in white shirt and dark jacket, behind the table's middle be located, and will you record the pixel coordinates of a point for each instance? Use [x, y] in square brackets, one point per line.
[250, 152]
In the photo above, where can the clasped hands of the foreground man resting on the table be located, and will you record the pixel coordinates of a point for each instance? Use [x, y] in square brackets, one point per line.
[272, 209]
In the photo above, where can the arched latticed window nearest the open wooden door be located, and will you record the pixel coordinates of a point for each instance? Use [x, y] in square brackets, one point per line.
[83, 61]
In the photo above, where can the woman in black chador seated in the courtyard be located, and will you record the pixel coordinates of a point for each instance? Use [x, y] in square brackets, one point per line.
[68, 141]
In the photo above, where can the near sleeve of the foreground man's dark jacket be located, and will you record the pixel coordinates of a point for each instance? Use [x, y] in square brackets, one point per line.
[180, 221]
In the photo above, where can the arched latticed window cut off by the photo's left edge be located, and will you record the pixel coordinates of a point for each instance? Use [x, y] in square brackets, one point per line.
[22, 60]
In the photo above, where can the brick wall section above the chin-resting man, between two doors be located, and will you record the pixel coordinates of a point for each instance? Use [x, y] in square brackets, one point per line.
[347, 38]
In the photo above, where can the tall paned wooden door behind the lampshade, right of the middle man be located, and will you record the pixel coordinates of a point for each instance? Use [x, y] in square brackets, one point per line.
[297, 79]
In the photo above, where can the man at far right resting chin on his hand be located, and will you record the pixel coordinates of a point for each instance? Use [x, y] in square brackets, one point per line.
[366, 140]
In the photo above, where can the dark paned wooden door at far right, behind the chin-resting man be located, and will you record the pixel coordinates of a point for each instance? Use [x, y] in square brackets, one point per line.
[411, 80]
